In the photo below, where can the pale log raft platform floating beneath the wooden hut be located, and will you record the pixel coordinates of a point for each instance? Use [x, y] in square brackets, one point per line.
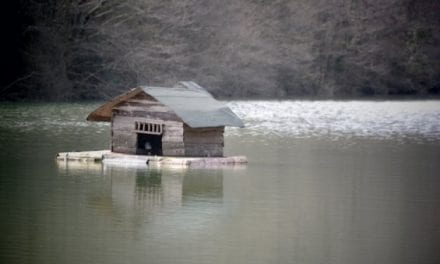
[106, 156]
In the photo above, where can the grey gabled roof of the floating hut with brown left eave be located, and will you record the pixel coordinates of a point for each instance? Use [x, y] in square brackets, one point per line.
[193, 104]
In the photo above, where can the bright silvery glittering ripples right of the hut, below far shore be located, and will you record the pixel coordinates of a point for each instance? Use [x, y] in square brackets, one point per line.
[335, 119]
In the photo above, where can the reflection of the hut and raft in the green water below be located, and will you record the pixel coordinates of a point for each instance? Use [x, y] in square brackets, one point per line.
[141, 188]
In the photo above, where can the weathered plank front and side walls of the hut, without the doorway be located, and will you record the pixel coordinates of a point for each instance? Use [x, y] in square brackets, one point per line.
[177, 139]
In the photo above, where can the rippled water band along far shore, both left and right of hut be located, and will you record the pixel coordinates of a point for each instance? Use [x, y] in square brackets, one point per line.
[303, 119]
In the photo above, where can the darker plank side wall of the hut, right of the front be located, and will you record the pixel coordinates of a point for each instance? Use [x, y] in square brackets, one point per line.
[203, 142]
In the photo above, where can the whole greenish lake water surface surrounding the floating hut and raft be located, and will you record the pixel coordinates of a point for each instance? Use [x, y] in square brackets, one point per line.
[327, 182]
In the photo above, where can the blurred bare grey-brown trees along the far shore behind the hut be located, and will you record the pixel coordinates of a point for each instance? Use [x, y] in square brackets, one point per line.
[67, 50]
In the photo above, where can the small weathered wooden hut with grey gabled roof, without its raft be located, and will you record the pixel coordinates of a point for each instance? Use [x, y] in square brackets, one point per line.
[184, 120]
